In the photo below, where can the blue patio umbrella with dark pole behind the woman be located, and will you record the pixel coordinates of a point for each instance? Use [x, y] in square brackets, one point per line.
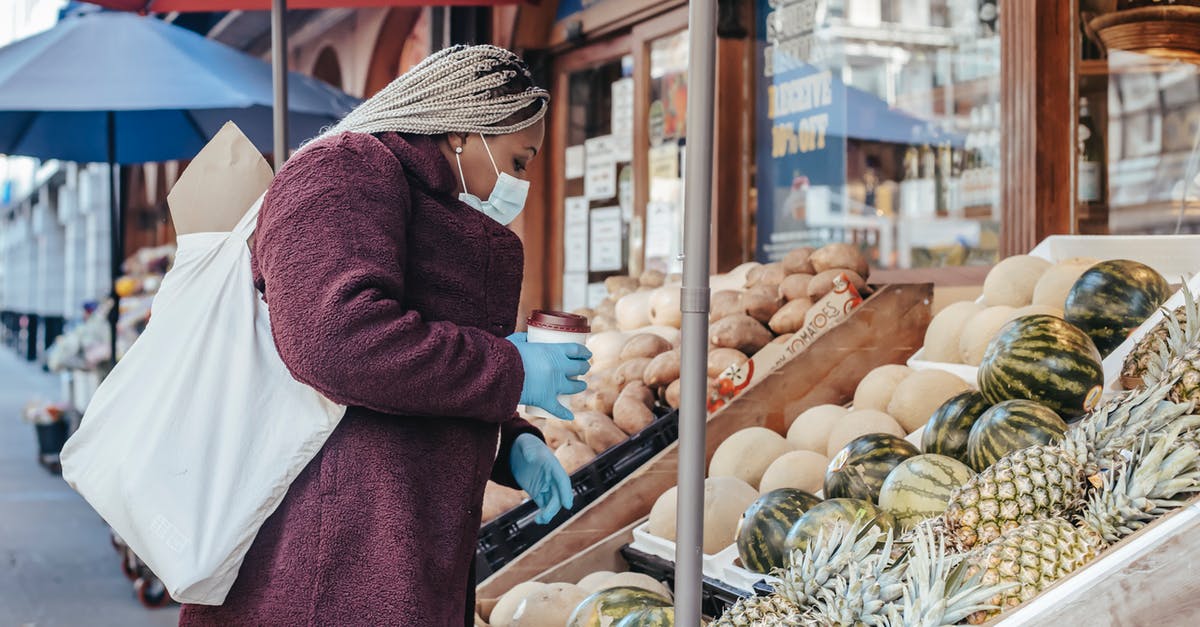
[119, 88]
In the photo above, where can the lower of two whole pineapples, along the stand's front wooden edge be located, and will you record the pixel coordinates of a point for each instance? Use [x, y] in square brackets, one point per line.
[1042, 552]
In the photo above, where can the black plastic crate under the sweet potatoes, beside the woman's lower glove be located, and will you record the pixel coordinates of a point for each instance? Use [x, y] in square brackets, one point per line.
[513, 533]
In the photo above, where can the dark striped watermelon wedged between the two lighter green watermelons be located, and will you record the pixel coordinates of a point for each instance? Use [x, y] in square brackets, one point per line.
[859, 471]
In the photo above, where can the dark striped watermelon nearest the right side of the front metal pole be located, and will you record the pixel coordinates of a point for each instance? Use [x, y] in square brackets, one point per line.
[765, 527]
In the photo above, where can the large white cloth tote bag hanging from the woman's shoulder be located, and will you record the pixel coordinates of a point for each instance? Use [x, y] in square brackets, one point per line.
[195, 438]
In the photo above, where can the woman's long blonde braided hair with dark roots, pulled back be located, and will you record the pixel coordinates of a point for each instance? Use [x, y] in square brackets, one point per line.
[463, 89]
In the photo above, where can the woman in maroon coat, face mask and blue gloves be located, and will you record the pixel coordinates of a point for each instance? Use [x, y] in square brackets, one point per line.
[393, 285]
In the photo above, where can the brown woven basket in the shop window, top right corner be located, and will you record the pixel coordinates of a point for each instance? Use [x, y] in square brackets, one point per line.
[1160, 28]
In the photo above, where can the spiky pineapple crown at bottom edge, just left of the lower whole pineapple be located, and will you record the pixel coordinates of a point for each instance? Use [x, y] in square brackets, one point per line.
[931, 598]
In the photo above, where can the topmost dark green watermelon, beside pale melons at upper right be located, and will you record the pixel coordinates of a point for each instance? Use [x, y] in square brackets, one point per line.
[1113, 298]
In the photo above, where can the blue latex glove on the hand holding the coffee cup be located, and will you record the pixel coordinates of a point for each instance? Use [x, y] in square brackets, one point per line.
[550, 372]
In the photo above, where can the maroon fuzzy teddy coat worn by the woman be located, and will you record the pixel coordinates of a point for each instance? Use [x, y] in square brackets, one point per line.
[392, 297]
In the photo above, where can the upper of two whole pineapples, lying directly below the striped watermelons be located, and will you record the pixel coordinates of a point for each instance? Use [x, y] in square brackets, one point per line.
[1049, 481]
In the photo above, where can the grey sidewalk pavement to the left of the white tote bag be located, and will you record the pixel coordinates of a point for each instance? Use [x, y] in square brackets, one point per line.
[57, 565]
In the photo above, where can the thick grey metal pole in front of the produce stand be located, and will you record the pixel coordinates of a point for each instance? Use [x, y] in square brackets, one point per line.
[698, 224]
